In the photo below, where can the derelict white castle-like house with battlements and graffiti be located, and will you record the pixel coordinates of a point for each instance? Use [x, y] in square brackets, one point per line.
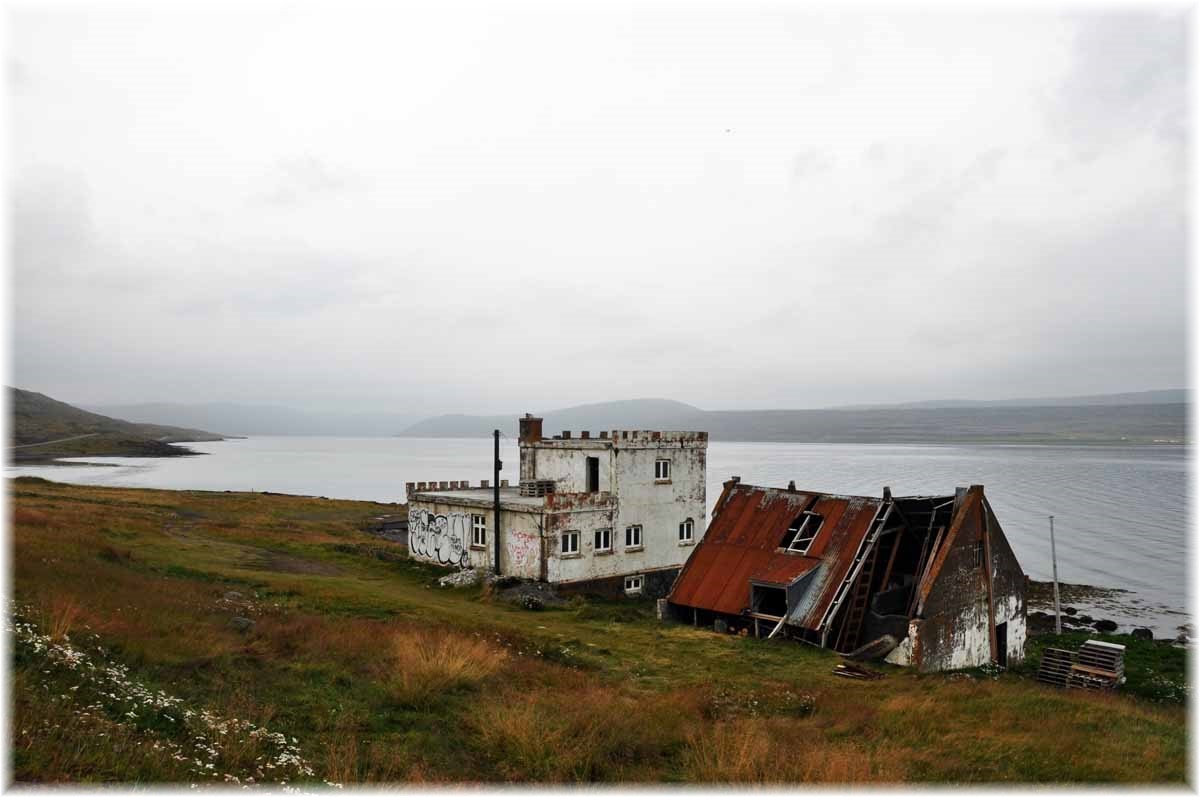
[615, 514]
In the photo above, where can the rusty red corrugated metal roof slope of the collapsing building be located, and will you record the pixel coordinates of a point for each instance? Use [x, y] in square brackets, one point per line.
[743, 544]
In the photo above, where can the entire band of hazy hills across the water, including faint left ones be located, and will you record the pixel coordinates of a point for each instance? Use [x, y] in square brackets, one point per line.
[1109, 418]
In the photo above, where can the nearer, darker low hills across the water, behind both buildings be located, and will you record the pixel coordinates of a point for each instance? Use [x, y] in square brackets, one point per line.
[1148, 418]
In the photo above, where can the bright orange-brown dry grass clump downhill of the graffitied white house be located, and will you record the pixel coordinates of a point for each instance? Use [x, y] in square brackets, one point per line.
[427, 664]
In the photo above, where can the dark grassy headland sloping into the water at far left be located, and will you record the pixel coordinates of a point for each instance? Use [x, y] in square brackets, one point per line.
[39, 418]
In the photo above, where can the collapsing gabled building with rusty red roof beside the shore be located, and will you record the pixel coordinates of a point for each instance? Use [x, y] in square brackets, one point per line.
[923, 582]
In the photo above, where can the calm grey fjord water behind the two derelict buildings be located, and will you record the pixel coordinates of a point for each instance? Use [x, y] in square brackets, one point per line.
[1120, 512]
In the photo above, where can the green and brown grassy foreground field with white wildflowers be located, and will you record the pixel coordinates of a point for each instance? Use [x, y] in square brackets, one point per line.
[235, 638]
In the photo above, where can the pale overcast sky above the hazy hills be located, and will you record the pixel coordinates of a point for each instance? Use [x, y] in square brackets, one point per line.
[459, 209]
